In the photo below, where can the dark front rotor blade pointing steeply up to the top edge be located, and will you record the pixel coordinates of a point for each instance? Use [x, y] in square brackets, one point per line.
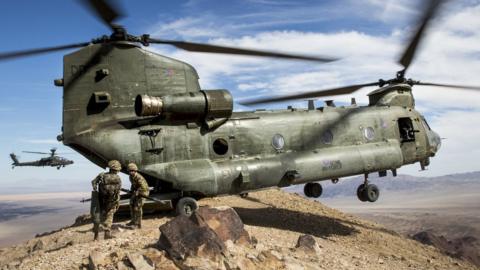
[428, 14]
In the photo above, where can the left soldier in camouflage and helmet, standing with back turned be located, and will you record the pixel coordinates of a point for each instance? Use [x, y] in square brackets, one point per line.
[108, 186]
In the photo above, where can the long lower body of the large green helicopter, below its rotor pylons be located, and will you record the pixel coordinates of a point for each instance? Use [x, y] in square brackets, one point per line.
[261, 149]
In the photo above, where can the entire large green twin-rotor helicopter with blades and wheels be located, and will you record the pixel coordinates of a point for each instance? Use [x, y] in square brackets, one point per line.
[126, 103]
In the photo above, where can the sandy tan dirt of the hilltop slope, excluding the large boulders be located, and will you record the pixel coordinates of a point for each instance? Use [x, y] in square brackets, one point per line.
[275, 218]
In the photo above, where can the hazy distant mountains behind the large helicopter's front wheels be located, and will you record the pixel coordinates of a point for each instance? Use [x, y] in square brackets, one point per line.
[348, 186]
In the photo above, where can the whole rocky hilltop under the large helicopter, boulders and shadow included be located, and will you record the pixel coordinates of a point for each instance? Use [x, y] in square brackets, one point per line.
[268, 230]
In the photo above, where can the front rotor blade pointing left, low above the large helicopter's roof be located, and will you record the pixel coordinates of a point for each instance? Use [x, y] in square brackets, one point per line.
[314, 94]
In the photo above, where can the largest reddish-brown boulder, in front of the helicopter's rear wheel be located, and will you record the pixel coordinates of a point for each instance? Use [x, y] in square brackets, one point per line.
[203, 233]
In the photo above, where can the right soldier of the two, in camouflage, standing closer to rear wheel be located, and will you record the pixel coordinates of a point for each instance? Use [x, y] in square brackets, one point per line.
[139, 190]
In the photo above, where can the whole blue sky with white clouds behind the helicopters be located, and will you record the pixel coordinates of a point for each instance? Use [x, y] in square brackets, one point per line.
[368, 35]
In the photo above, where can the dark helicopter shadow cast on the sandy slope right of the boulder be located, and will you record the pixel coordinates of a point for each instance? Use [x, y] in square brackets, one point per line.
[284, 219]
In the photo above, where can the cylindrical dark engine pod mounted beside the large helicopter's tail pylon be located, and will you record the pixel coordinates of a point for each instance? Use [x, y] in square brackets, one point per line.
[207, 104]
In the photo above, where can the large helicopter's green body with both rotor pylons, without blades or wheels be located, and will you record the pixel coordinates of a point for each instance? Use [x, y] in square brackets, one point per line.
[245, 151]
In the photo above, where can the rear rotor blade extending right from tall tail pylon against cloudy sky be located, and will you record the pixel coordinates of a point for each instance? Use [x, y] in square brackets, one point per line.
[199, 47]
